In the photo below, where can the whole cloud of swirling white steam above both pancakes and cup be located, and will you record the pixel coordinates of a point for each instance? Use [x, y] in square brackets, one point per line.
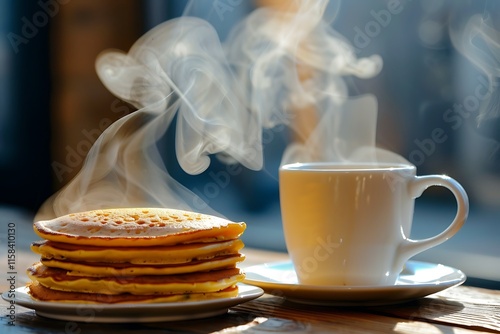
[273, 65]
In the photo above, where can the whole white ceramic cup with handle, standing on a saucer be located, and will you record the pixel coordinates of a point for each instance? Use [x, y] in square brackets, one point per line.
[349, 225]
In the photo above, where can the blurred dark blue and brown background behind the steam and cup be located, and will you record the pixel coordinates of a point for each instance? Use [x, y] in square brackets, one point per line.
[430, 92]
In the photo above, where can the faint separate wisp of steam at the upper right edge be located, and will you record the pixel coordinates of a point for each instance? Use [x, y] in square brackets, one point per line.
[479, 42]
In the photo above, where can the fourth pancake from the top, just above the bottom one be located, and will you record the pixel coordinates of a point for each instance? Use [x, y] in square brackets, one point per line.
[199, 282]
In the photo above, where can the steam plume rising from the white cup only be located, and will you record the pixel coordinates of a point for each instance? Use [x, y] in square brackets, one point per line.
[280, 47]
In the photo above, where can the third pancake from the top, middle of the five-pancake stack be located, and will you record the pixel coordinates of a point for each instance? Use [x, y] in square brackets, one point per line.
[100, 269]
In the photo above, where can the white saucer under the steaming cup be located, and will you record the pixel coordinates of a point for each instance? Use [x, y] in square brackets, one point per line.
[417, 280]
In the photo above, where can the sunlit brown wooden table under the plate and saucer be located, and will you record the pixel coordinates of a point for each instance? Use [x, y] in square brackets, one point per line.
[456, 310]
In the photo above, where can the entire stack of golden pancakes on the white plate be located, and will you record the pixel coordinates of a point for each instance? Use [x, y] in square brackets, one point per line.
[136, 255]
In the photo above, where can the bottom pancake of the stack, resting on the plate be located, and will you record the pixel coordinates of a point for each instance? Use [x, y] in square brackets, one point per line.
[42, 293]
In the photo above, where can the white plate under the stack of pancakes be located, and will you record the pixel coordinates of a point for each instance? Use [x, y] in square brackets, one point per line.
[151, 312]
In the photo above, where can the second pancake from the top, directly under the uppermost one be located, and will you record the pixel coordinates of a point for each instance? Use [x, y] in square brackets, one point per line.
[138, 255]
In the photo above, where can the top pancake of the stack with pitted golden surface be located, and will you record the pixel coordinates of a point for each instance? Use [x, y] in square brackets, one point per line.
[126, 227]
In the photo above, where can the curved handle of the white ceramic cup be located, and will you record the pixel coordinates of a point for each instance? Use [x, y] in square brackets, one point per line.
[416, 187]
